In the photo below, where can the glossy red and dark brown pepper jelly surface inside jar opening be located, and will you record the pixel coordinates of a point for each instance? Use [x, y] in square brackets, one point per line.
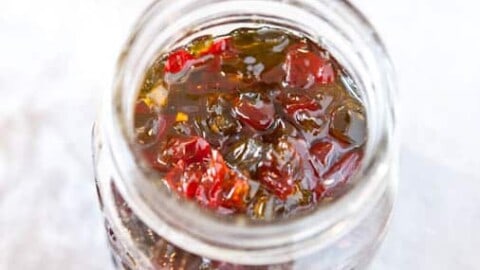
[259, 122]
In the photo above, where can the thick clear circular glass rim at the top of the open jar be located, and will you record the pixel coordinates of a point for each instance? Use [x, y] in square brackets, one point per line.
[247, 243]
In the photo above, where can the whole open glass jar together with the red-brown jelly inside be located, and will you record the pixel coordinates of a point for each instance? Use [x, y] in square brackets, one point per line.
[245, 141]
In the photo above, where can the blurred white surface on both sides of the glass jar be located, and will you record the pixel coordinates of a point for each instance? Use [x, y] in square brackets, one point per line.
[57, 56]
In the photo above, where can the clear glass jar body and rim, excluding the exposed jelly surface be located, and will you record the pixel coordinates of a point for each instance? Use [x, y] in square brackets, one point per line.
[150, 229]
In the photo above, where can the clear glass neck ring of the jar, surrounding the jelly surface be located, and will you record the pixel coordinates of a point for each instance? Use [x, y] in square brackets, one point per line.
[337, 26]
